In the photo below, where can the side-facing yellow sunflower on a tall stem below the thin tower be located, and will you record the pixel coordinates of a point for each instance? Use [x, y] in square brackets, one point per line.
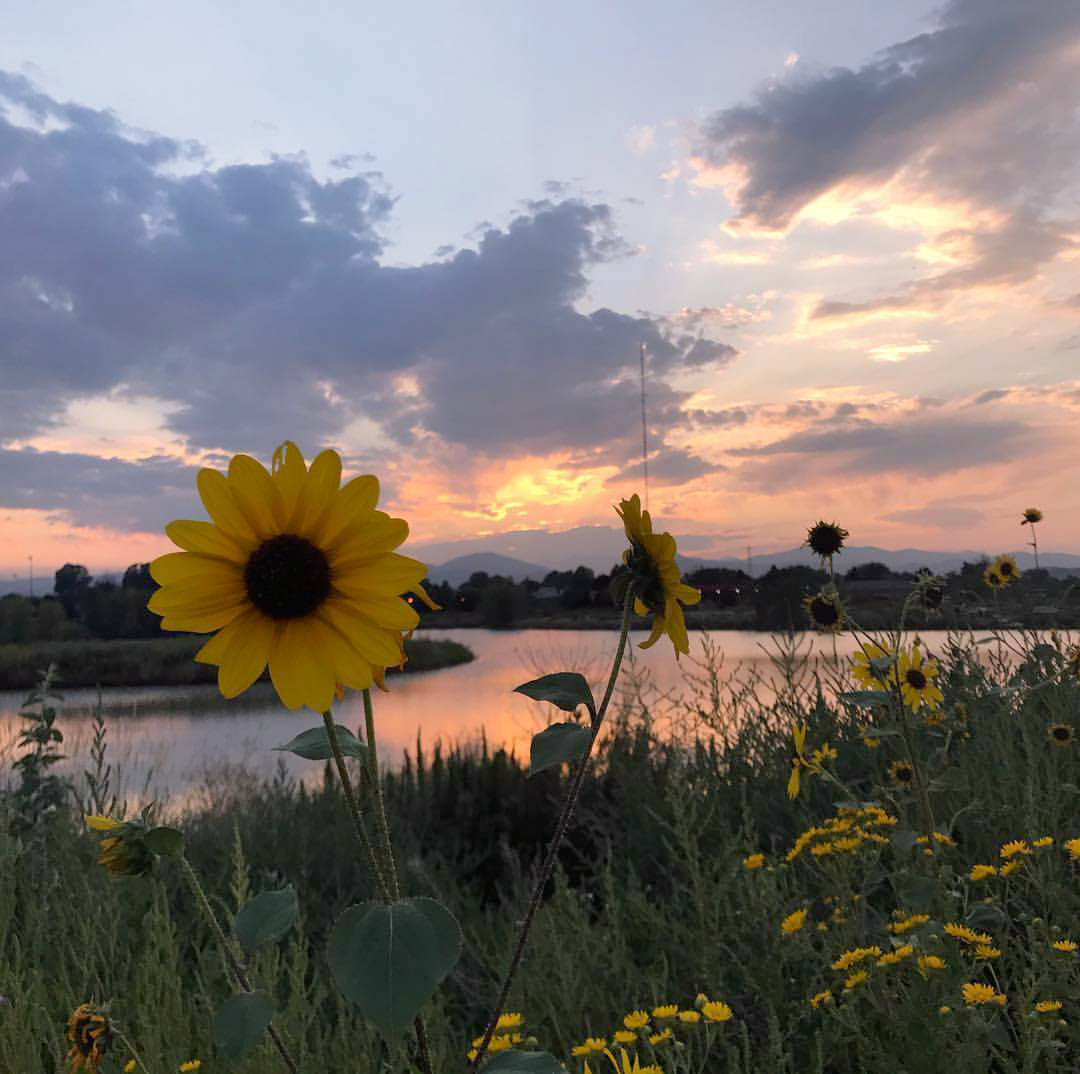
[655, 575]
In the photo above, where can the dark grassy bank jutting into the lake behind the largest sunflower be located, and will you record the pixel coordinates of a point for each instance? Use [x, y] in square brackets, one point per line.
[159, 662]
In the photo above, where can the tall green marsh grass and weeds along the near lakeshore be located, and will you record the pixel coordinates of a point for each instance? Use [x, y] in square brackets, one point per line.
[652, 903]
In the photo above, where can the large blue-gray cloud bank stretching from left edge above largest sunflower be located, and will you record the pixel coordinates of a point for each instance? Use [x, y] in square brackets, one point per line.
[255, 300]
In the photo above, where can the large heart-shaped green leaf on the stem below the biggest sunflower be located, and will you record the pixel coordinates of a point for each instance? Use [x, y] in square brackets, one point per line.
[389, 959]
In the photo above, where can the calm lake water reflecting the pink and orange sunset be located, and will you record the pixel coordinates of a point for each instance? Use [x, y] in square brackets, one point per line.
[167, 741]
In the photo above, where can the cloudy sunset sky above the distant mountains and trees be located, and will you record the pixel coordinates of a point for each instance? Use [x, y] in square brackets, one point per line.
[435, 236]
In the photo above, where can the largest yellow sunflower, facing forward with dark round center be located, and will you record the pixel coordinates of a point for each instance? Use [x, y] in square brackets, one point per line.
[295, 571]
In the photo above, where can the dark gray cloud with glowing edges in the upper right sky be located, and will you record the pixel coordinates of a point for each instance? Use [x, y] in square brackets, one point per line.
[980, 111]
